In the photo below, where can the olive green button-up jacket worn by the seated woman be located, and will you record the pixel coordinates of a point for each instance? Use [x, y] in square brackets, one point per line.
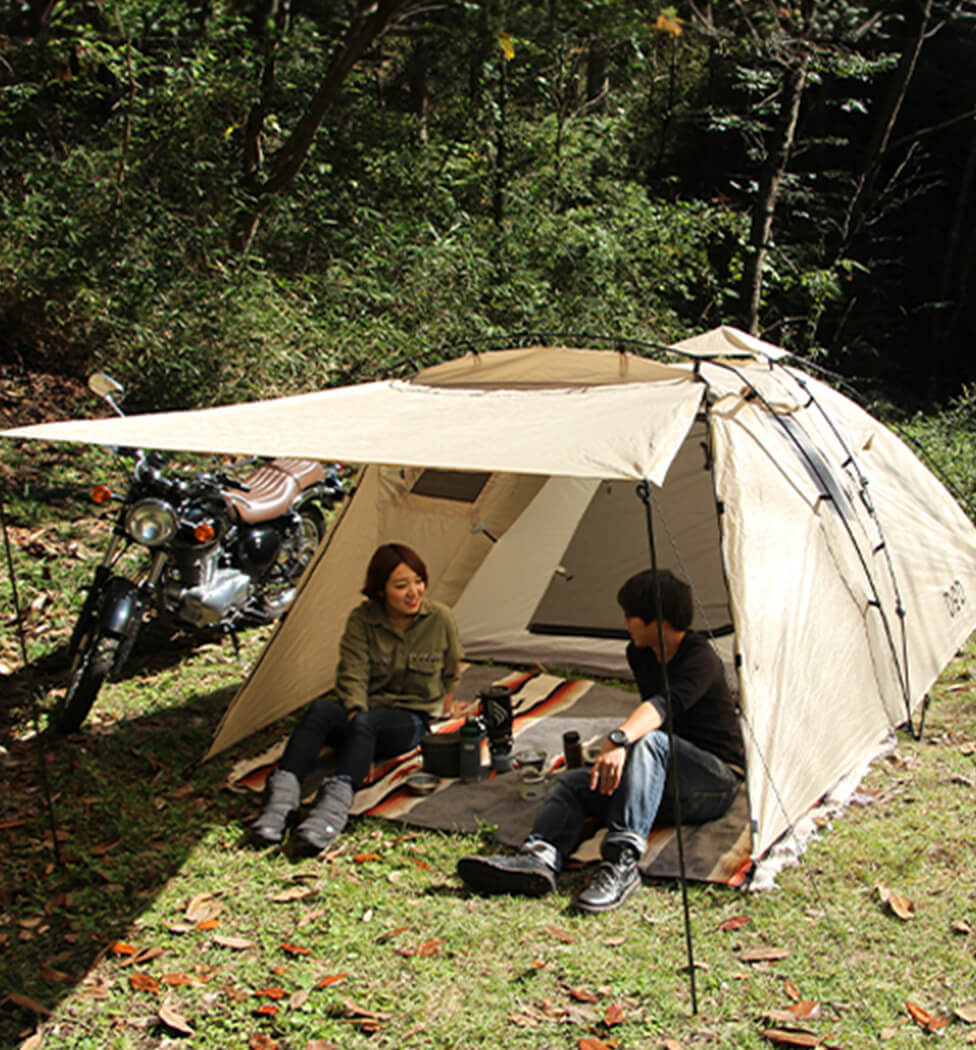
[381, 667]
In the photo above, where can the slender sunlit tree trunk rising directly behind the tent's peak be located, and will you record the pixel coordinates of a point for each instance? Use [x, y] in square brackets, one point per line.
[771, 178]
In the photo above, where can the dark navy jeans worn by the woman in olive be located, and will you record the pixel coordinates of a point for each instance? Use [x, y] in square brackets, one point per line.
[379, 733]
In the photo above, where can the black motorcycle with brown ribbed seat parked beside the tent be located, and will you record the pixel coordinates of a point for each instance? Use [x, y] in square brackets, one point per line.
[213, 553]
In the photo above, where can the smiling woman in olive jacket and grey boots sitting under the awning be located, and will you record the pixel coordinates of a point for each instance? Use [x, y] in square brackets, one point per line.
[398, 664]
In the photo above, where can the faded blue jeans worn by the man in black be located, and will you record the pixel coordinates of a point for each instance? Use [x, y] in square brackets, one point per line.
[645, 796]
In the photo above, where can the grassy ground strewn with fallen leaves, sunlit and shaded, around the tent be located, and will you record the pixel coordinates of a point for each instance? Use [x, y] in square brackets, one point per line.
[153, 920]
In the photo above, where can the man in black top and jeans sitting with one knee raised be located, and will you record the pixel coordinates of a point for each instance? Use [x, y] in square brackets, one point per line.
[630, 785]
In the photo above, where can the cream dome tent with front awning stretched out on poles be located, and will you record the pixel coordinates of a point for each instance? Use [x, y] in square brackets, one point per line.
[831, 566]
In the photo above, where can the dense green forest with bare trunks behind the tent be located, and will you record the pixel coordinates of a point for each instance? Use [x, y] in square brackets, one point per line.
[223, 200]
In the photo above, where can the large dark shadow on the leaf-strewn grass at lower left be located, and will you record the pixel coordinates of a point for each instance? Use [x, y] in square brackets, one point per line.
[128, 817]
